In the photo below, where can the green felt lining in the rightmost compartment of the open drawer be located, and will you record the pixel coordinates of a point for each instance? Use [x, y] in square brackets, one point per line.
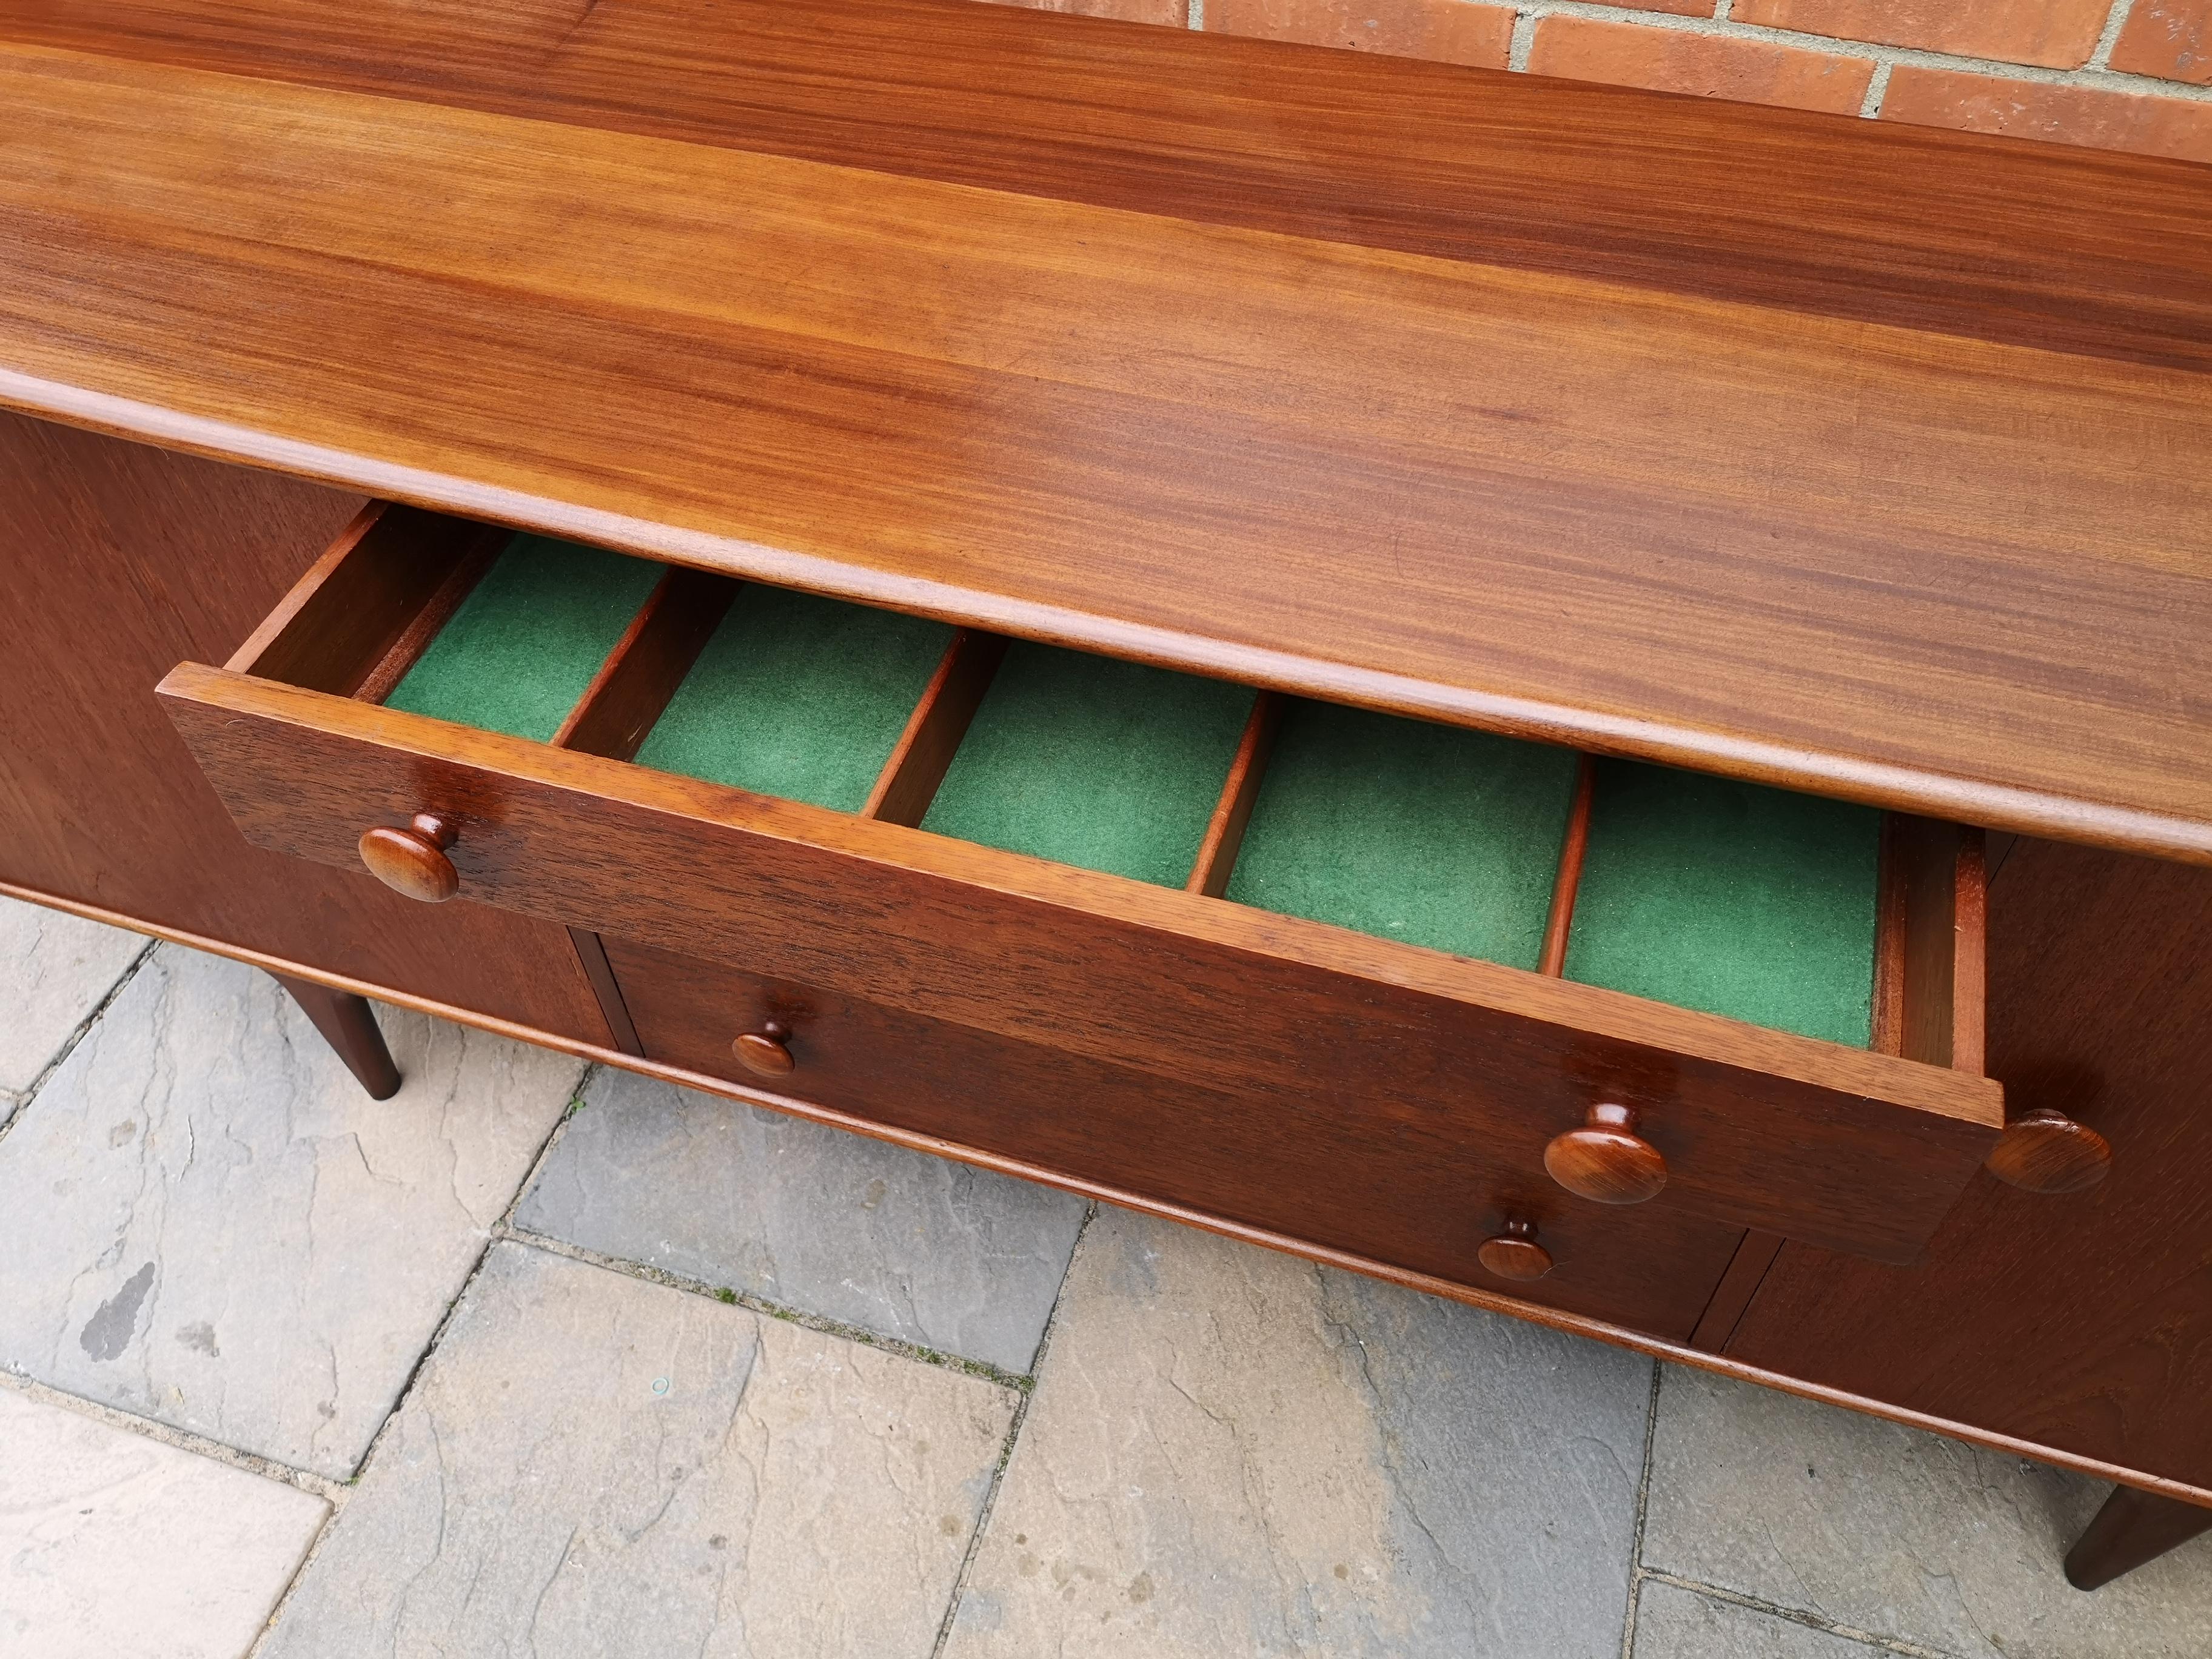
[1731, 899]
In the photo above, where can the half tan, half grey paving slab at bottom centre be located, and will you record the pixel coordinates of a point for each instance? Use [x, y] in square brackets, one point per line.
[1233, 1452]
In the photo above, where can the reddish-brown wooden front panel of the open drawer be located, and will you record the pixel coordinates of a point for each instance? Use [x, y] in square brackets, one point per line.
[1757, 1127]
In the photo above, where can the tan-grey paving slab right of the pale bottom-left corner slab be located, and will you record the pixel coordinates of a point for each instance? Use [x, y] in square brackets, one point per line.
[598, 1468]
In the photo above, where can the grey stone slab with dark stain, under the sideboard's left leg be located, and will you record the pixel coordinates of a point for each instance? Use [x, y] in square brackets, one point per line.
[213, 1227]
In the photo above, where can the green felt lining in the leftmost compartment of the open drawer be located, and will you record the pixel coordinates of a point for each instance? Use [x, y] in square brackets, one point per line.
[530, 638]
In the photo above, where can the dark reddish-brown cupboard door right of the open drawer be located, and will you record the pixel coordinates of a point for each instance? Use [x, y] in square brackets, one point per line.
[2080, 1324]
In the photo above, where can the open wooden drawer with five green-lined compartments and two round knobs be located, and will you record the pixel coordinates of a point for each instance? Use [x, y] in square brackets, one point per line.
[1618, 981]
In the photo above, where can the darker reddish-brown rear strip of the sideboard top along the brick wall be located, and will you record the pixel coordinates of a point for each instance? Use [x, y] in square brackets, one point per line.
[1901, 227]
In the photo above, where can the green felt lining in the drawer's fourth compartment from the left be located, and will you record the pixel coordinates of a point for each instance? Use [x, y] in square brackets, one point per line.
[1408, 831]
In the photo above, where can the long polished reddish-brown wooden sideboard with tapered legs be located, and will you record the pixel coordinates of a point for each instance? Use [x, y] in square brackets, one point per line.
[1866, 463]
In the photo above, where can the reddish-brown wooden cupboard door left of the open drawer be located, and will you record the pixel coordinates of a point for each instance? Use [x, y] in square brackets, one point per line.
[118, 563]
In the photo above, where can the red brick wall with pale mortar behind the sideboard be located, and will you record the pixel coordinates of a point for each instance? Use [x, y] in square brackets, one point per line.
[2118, 74]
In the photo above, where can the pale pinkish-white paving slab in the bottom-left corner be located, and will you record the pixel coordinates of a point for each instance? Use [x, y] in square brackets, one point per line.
[116, 1547]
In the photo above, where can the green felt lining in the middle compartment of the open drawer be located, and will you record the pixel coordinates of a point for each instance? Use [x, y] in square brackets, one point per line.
[1094, 762]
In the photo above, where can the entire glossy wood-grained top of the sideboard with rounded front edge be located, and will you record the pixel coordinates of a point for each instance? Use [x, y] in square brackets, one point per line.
[1870, 461]
